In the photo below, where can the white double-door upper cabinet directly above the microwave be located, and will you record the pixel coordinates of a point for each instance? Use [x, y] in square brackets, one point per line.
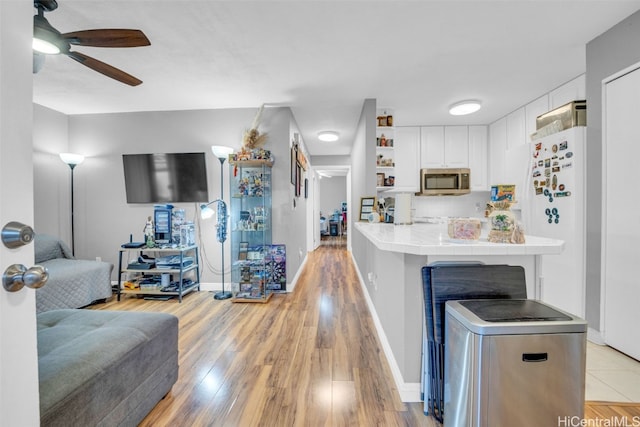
[444, 147]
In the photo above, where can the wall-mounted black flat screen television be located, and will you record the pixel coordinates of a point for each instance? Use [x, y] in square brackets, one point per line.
[165, 177]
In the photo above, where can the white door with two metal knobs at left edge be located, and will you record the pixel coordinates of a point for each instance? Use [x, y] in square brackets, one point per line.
[19, 396]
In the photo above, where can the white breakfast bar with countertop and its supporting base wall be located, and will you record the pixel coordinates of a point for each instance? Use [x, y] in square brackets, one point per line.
[389, 259]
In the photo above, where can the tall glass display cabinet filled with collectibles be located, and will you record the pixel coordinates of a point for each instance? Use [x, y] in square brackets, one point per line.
[250, 226]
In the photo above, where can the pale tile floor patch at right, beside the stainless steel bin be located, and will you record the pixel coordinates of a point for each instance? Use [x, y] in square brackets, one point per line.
[611, 375]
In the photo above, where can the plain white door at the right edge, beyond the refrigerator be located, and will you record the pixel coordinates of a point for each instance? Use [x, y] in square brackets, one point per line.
[621, 231]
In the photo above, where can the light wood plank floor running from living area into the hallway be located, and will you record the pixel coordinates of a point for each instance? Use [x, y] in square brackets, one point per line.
[308, 358]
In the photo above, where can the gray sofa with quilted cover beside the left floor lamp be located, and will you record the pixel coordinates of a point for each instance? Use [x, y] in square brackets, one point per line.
[73, 283]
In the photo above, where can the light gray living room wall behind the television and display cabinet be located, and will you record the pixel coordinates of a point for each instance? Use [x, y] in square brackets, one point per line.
[103, 219]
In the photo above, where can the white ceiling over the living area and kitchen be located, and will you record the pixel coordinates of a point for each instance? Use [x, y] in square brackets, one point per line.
[323, 58]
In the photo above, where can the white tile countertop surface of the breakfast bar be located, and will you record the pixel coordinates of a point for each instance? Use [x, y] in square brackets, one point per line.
[432, 239]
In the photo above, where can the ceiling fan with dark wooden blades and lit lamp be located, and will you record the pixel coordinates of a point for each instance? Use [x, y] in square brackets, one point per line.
[48, 40]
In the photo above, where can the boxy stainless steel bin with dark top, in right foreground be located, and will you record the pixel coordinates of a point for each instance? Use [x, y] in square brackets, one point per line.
[513, 363]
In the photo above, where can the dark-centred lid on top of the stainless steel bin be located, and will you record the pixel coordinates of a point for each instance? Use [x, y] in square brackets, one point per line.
[513, 316]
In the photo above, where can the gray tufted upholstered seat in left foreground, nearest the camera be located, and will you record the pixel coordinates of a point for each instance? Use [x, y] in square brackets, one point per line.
[104, 368]
